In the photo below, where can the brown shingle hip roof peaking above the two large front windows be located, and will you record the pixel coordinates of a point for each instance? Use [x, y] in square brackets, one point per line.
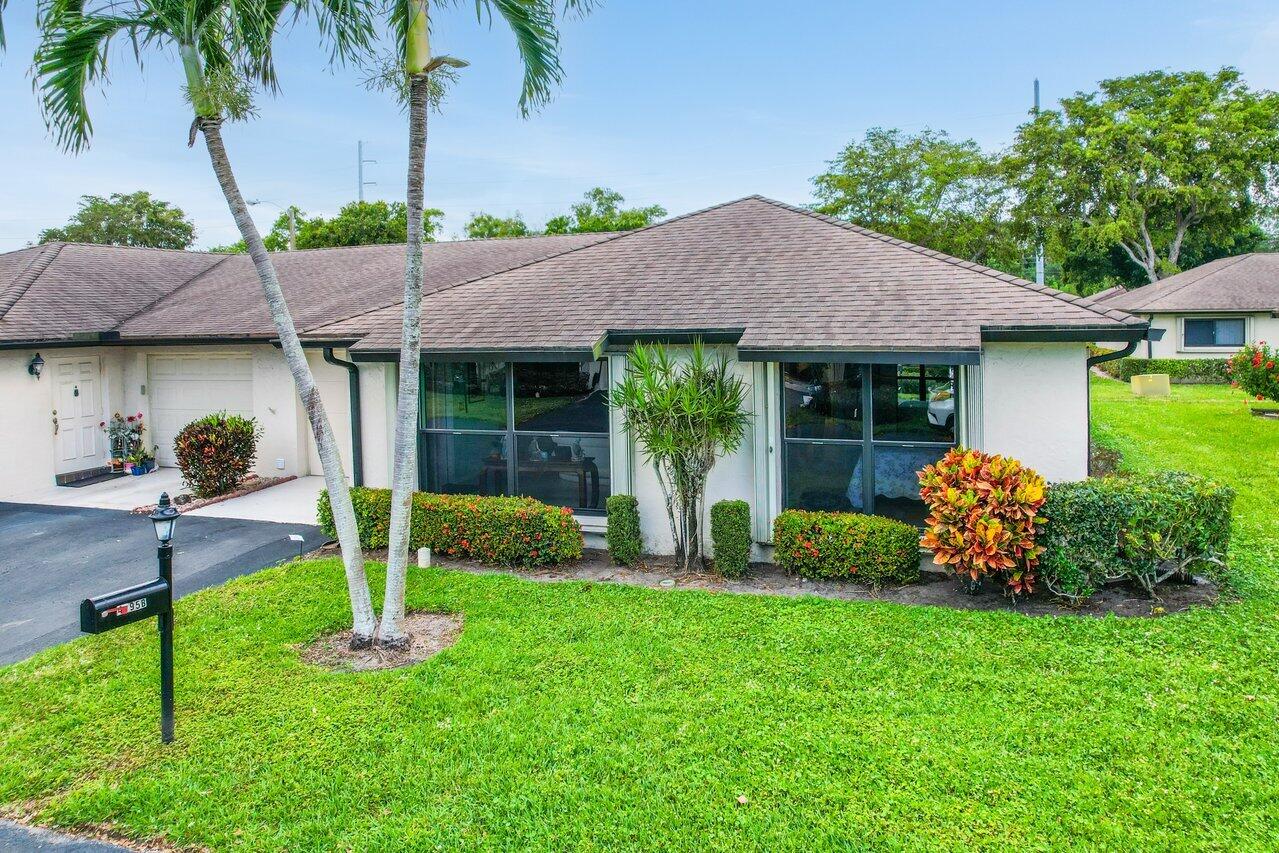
[791, 278]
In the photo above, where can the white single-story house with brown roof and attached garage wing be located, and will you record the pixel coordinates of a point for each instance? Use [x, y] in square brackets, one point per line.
[865, 359]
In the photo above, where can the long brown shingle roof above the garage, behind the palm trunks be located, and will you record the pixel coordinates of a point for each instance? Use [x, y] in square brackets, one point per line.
[62, 290]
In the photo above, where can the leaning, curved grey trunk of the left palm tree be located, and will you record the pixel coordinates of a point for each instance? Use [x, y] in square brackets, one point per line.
[364, 622]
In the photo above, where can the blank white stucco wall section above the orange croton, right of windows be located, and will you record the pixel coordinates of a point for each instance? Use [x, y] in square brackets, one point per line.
[1035, 407]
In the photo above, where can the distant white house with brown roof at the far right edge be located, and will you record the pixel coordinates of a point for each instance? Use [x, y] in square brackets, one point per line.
[1208, 313]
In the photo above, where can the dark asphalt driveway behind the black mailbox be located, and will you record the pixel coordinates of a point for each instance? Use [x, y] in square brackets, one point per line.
[54, 557]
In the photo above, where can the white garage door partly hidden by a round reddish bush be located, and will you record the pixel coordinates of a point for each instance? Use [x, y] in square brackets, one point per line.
[184, 388]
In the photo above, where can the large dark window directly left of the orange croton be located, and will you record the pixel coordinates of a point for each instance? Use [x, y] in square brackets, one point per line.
[856, 434]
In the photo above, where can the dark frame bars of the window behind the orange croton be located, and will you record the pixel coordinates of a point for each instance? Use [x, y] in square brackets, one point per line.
[868, 442]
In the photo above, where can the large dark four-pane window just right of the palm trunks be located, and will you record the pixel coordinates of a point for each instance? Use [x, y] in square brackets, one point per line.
[538, 429]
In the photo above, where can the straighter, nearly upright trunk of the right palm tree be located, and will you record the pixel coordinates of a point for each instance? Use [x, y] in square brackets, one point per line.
[405, 473]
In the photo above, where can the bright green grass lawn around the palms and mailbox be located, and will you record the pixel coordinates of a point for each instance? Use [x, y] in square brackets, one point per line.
[602, 717]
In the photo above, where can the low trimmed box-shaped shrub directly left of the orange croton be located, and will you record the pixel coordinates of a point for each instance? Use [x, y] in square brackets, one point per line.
[870, 549]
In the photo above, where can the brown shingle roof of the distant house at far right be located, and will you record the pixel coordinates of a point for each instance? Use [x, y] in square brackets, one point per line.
[1240, 283]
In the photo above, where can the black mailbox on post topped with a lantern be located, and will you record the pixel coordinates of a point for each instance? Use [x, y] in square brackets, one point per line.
[143, 602]
